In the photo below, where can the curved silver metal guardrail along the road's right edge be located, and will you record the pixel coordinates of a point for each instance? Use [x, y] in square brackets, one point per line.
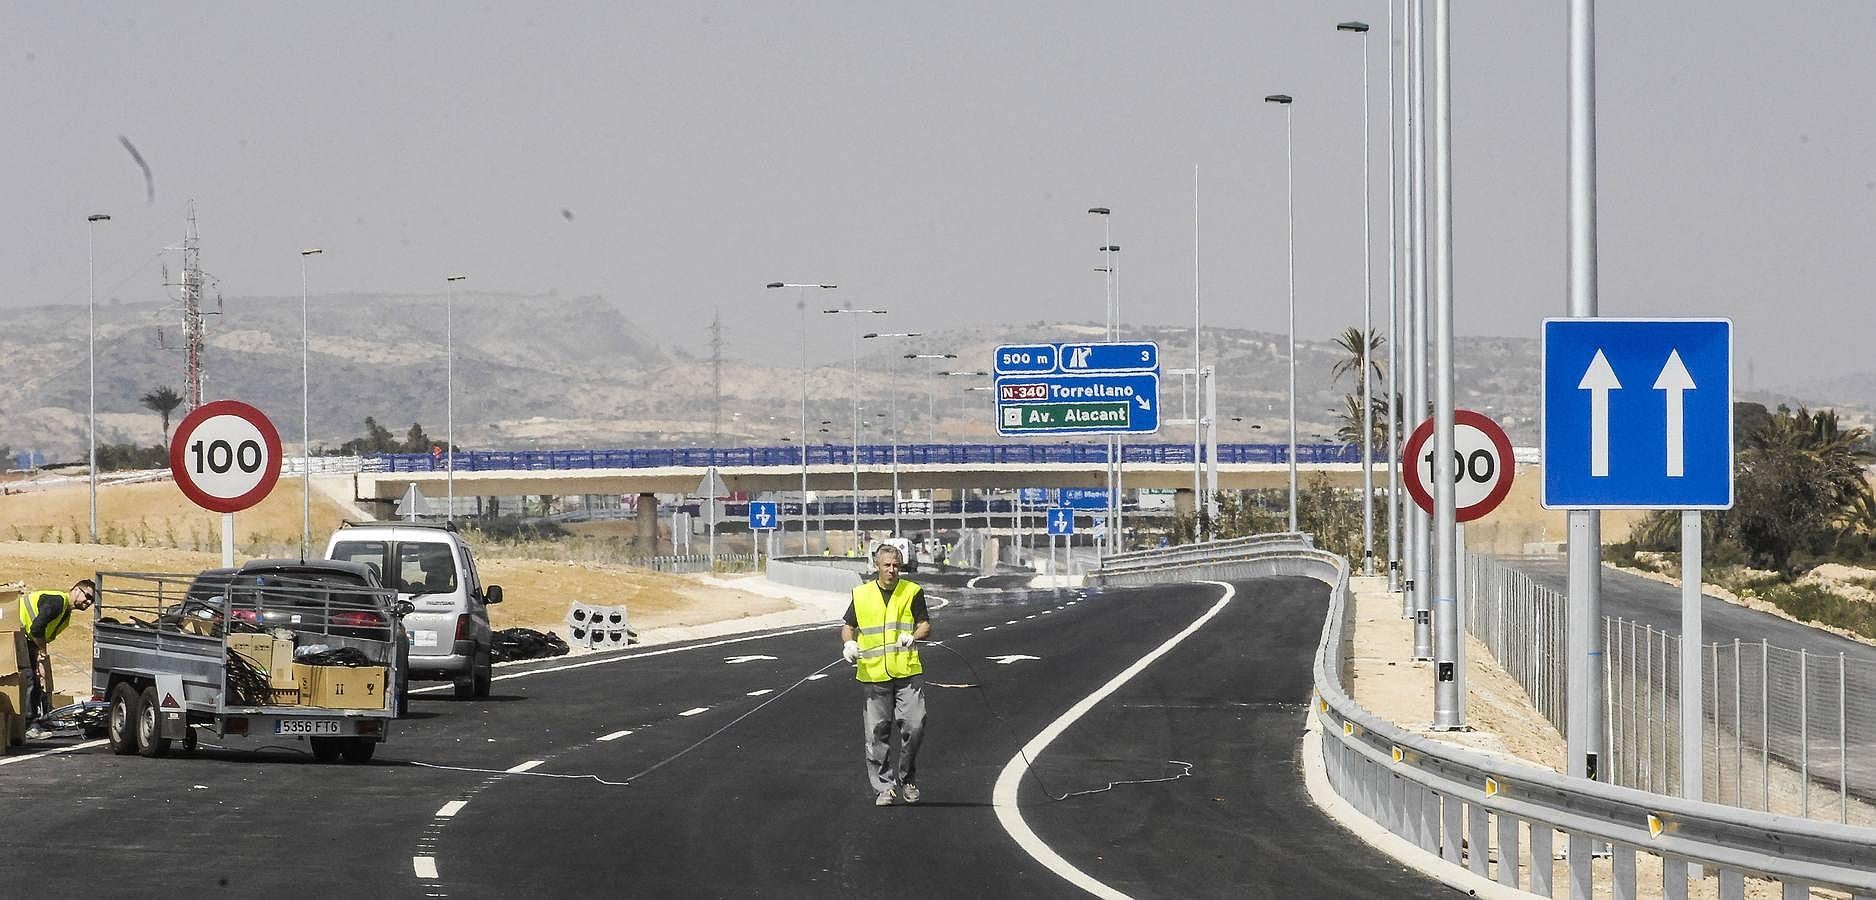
[1472, 811]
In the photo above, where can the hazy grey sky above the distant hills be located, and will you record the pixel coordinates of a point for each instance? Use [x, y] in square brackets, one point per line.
[939, 158]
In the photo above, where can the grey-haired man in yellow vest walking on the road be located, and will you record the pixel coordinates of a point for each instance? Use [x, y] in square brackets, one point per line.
[883, 623]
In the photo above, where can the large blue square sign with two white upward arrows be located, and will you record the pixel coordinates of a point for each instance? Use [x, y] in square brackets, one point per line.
[1639, 413]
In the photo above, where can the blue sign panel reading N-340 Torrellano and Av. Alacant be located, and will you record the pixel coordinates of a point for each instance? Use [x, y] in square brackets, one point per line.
[1078, 404]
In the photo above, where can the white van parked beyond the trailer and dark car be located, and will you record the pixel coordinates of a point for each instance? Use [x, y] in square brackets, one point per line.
[431, 567]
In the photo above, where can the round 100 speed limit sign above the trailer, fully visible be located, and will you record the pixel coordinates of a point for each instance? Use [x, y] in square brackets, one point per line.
[226, 457]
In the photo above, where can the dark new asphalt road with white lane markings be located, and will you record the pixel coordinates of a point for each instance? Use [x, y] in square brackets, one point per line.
[725, 768]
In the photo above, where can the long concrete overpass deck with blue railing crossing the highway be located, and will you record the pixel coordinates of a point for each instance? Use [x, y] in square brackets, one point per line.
[922, 470]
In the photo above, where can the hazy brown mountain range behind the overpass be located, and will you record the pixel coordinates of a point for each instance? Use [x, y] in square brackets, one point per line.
[577, 372]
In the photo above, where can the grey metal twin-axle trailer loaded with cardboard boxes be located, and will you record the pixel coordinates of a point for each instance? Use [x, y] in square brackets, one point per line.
[162, 659]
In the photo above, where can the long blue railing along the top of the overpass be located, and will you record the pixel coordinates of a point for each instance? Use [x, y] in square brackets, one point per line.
[845, 455]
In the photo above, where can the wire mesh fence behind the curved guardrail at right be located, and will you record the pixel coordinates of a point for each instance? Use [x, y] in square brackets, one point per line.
[1783, 730]
